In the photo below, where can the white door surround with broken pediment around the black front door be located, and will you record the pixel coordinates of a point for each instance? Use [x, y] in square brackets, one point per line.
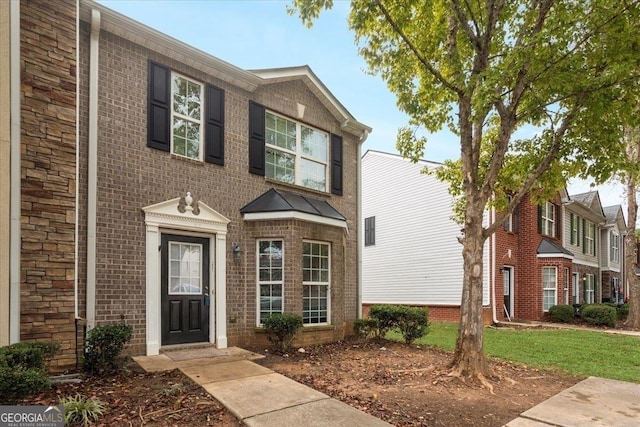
[166, 217]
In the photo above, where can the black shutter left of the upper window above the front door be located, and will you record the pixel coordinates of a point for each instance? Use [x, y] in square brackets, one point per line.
[159, 107]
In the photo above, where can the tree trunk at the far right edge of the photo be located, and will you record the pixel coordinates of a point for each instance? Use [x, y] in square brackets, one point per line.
[633, 319]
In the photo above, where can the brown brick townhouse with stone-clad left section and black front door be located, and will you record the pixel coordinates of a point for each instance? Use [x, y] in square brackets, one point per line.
[207, 196]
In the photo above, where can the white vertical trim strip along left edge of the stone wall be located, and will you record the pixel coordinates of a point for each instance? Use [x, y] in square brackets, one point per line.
[14, 162]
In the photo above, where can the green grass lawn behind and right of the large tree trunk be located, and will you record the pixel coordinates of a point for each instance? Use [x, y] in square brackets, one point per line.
[586, 353]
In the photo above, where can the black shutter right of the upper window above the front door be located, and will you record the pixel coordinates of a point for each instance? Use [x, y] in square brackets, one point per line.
[214, 131]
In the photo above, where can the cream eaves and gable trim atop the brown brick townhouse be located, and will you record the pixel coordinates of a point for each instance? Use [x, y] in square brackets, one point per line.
[140, 34]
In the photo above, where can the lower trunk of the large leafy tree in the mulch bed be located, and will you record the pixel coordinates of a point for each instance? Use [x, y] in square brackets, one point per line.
[469, 359]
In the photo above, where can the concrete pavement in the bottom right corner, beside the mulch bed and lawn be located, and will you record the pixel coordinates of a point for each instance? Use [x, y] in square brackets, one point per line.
[592, 402]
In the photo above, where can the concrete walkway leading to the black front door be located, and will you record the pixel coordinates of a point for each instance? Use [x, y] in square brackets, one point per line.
[255, 394]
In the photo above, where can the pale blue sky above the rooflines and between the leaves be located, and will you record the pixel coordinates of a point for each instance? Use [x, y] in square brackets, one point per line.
[254, 34]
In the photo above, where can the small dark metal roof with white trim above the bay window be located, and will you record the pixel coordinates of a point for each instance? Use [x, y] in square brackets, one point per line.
[280, 204]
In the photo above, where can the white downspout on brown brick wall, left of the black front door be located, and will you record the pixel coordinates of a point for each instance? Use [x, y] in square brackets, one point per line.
[92, 185]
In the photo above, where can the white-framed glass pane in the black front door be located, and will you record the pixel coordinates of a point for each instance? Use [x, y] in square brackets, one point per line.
[185, 268]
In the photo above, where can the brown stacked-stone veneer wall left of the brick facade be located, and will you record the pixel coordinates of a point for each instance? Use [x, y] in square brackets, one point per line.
[48, 144]
